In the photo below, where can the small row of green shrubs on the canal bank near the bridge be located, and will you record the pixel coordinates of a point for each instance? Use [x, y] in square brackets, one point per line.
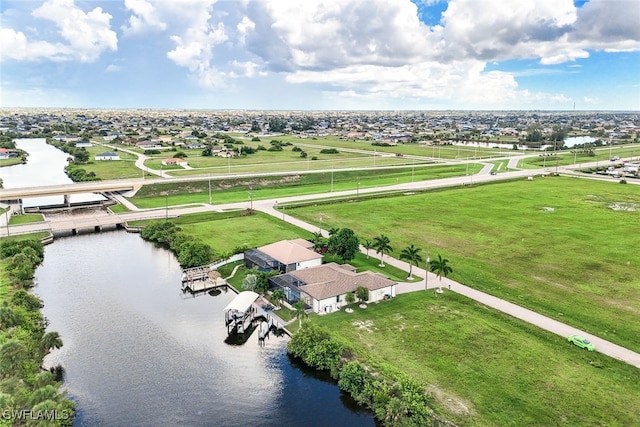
[190, 252]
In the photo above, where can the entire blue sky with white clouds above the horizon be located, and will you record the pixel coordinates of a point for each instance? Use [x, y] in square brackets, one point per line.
[321, 55]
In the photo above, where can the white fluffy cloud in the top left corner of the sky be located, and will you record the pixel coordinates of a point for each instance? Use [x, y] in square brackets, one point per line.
[84, 36]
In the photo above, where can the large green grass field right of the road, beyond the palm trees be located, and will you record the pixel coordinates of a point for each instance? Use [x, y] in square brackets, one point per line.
[564, 247]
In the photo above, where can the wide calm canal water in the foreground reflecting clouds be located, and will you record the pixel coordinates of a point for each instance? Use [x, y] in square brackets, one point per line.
[138, 352]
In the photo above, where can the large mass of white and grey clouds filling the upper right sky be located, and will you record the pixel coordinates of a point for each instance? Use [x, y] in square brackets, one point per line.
[381, 48]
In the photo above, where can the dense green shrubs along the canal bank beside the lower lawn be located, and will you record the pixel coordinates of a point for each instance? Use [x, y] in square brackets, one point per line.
[394, 399]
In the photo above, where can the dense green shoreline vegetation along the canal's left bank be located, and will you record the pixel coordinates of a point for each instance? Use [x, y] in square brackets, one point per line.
[29, 393]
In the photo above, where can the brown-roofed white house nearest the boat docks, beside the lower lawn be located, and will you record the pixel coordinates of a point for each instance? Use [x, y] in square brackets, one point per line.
[324, 288]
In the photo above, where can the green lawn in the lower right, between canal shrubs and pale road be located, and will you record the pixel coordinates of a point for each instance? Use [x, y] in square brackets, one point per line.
[484, 368]
